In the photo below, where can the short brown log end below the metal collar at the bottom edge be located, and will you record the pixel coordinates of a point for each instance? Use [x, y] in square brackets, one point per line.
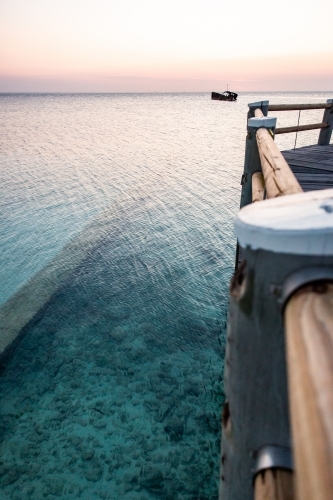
[274, 484]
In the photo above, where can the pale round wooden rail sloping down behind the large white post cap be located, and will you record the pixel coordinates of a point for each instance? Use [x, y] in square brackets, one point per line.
[279, 179]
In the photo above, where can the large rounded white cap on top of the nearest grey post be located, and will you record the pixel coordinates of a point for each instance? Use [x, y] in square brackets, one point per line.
[295, 224]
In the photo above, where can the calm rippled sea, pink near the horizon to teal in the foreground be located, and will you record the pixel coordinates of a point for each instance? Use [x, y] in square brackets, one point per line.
[116, 234]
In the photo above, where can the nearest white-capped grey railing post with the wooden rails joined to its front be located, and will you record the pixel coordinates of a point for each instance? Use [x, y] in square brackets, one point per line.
[283, 240]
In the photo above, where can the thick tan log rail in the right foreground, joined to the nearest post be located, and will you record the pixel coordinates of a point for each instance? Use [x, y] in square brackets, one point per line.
[309, 339]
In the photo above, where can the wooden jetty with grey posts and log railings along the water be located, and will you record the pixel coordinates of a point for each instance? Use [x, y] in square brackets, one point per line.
[277, 422]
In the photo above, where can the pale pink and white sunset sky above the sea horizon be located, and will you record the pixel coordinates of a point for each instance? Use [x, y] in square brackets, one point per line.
[165, 45]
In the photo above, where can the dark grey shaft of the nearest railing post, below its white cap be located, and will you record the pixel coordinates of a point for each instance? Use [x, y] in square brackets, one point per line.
[255, 369]
